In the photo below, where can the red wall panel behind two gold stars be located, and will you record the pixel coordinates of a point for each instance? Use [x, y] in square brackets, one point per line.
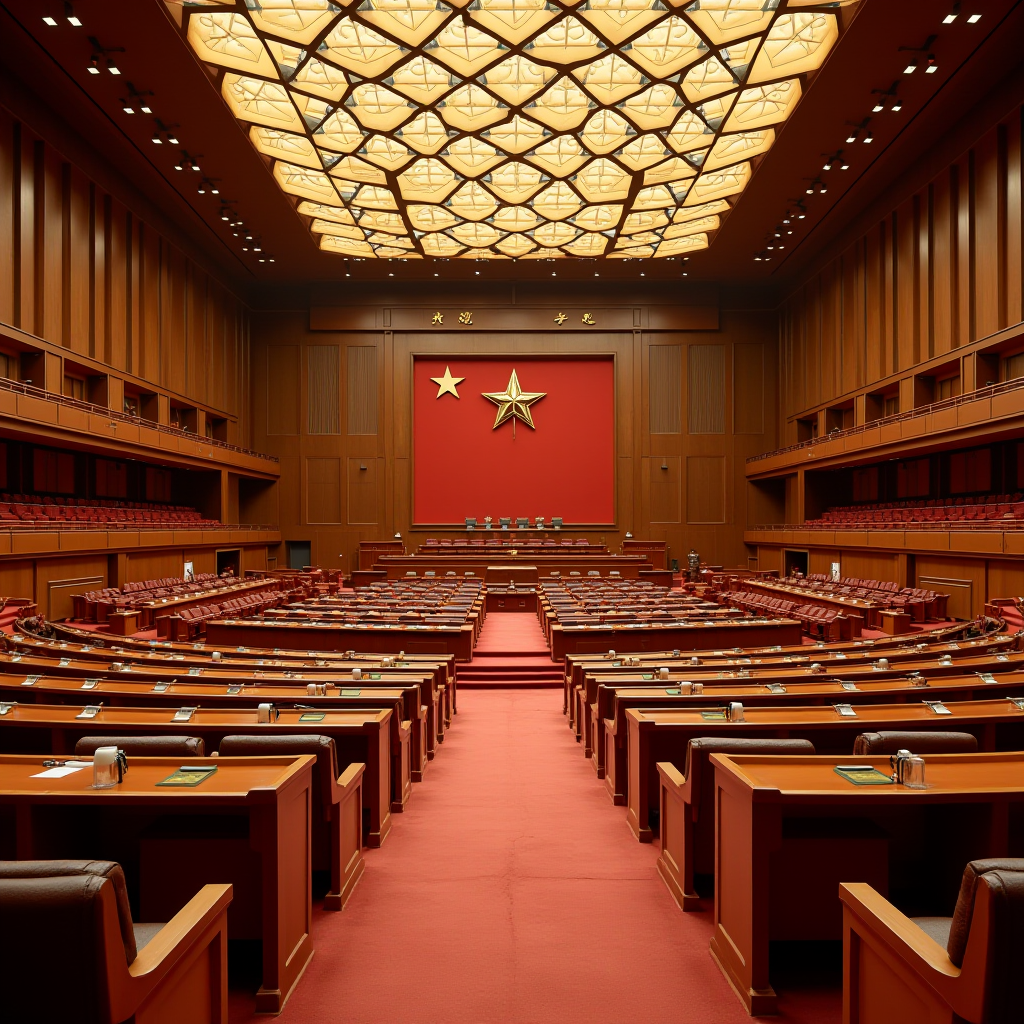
[565, 467]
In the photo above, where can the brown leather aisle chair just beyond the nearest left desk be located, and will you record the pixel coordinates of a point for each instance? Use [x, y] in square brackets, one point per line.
[337, 831]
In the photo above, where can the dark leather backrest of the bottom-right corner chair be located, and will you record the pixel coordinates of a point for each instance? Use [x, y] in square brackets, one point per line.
[1005, 879]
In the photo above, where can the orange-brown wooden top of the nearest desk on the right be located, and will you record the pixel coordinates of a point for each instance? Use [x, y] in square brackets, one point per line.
[949, 776]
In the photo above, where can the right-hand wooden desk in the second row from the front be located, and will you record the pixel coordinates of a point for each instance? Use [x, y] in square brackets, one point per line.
[663, 736]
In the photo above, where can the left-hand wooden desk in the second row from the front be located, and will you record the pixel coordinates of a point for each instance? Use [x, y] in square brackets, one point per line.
[361, 737]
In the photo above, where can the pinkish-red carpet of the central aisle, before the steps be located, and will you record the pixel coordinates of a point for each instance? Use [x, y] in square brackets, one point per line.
[513, 891]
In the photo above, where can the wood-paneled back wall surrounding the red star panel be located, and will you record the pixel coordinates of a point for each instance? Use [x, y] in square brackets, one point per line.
[684, 484]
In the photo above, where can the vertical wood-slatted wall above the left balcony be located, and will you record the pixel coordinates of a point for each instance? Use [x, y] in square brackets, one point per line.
[83, 272]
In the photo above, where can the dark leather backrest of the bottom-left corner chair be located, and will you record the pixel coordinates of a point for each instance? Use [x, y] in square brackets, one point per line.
[47, 902]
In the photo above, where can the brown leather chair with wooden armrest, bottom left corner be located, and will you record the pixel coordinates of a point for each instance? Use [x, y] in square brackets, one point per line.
[105, 975]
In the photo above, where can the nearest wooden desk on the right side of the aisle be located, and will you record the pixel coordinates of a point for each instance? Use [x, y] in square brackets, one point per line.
[765, 803]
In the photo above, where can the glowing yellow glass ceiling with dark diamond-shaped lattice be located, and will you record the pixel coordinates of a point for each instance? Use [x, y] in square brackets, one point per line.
[513, 130]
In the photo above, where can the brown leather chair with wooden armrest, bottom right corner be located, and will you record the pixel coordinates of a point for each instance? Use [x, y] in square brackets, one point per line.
[894, 961]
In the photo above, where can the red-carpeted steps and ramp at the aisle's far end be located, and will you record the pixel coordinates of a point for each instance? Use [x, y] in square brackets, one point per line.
[511, 652]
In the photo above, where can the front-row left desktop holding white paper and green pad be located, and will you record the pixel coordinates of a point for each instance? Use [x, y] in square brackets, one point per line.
[236, 781]
